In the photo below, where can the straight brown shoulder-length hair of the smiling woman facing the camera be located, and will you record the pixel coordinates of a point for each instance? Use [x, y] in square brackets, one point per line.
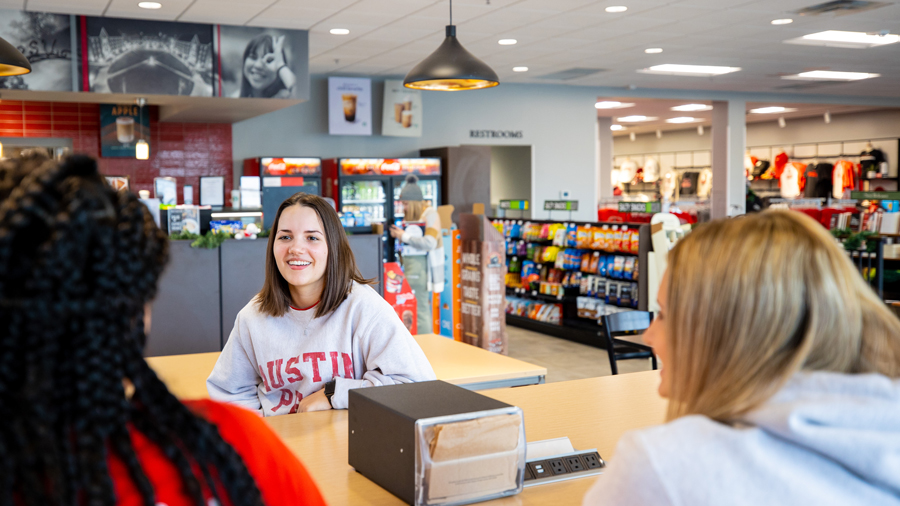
[275, 297]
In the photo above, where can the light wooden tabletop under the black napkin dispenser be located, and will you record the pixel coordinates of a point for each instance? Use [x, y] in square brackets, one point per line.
[592, 413]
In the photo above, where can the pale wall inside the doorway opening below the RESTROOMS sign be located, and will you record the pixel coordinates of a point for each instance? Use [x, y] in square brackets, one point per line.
[511, 175]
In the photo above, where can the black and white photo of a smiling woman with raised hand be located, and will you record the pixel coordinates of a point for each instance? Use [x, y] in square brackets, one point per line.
[263, 62]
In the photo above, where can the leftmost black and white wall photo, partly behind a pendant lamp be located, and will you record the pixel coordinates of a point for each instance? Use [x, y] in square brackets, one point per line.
[45, 39]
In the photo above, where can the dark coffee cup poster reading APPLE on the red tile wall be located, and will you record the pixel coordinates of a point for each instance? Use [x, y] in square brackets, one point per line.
[121, 126]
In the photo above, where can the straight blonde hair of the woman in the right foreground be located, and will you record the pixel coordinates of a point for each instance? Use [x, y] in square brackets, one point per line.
[753, 300]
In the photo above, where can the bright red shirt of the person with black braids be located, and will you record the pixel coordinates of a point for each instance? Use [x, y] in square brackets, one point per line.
[281, 478]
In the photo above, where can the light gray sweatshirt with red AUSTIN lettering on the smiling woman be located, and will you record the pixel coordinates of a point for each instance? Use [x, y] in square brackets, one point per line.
[269, 364]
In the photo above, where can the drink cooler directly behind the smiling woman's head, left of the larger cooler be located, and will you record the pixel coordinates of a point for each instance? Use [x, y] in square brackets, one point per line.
[282, 178]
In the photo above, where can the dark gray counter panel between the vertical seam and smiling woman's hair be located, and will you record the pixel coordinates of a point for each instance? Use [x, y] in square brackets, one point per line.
[243, 274]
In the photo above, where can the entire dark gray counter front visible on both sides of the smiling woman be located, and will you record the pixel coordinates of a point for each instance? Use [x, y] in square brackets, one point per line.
[202, 291]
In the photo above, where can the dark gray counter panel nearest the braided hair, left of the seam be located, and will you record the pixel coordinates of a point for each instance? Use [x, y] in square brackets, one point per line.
[186, 309]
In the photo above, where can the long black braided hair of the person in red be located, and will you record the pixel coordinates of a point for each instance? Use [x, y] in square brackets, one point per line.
[78, 262]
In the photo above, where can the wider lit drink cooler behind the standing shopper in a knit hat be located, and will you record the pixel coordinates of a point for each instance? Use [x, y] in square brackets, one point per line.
[366, 191]
